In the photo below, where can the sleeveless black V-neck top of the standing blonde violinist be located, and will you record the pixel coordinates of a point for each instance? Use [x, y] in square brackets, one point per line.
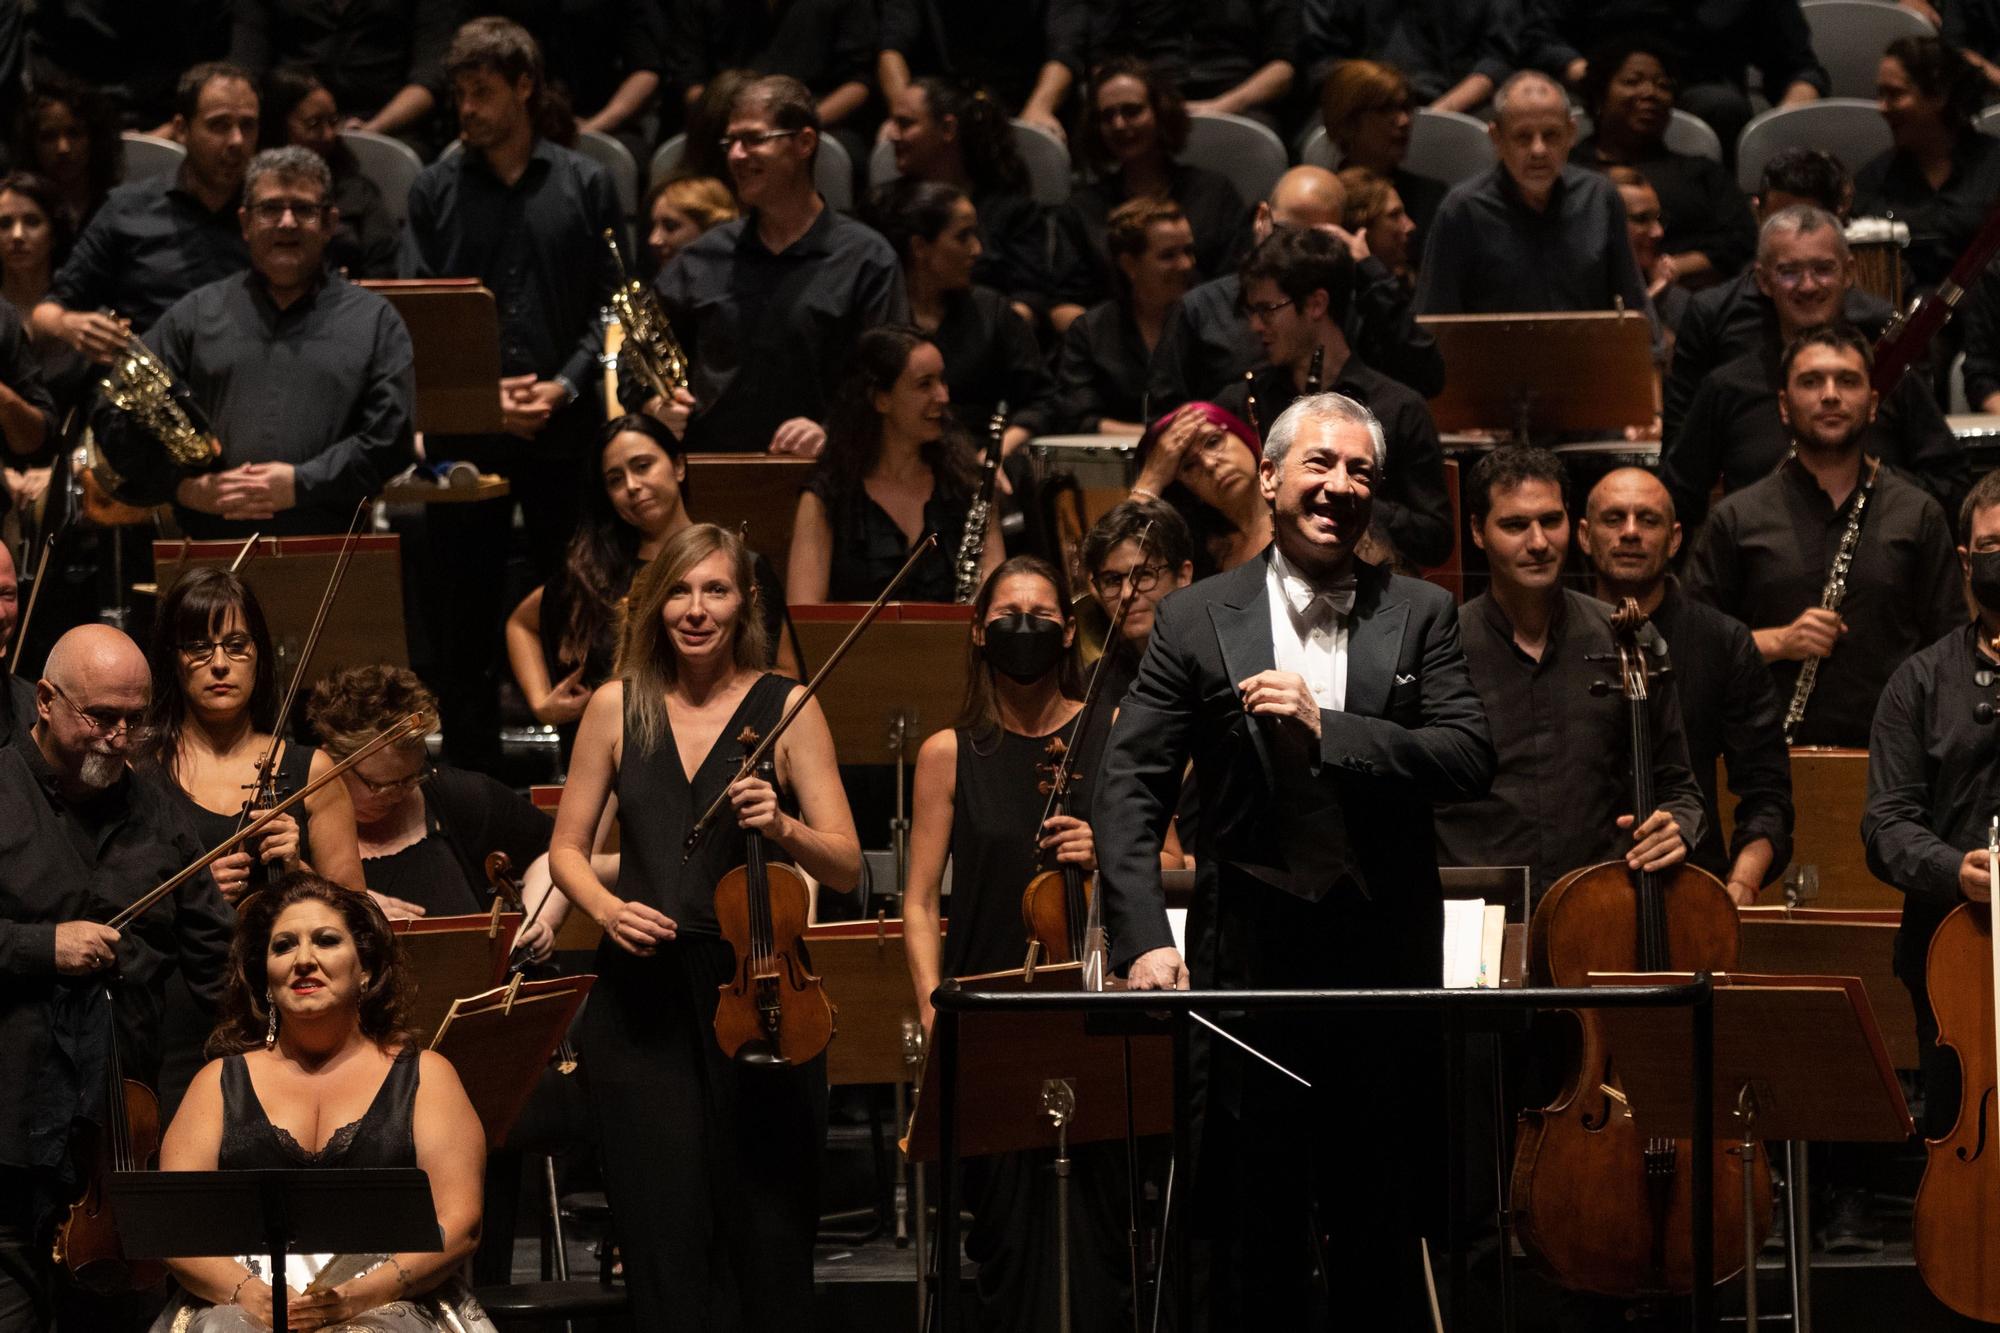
[657, 808]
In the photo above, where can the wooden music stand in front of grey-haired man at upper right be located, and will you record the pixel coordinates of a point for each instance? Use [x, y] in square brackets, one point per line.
[1591, 373]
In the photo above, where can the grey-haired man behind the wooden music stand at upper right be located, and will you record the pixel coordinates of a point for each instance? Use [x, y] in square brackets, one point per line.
[1533, 233]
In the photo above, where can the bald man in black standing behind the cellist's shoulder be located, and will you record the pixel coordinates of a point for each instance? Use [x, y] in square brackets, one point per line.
[1729, 706]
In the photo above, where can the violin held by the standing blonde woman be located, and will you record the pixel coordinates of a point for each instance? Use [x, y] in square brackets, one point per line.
[773, 1010]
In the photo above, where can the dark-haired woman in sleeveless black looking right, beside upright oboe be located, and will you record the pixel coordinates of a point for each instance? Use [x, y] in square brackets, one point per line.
[895, 469]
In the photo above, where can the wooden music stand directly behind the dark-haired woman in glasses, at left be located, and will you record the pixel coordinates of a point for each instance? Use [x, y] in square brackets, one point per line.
[289, 577]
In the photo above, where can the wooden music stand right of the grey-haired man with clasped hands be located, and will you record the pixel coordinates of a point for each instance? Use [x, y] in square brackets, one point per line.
[455, 329]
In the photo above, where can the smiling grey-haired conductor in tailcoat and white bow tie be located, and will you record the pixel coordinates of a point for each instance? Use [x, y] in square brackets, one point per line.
[1327, 708]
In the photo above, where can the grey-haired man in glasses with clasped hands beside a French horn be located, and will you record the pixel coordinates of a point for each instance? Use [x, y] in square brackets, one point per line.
[305, 379]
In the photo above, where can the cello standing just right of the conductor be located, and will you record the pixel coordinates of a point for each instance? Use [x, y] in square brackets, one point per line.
[1597, 1204]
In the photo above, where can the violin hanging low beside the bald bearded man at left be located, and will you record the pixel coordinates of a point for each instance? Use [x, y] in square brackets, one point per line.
[89, 1242]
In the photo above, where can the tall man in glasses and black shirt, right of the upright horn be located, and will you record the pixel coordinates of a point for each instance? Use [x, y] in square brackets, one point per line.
[769, 307]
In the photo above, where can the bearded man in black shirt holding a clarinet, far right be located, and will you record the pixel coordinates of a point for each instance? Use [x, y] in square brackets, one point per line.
[1769, 549]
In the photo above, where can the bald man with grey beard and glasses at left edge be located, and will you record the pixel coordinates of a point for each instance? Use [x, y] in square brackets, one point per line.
[83, 838]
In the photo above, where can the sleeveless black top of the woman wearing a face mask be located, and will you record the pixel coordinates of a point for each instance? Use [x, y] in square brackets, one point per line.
[995, 848]
